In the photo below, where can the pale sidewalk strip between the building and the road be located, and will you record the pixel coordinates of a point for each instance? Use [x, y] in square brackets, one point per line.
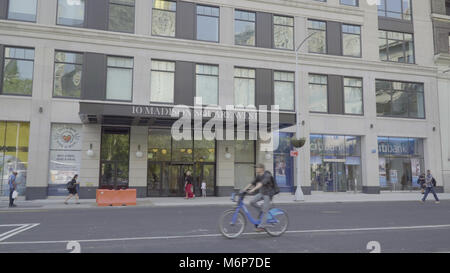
[282, 198]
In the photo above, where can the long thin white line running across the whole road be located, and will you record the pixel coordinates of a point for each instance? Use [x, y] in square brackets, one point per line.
[220, 235]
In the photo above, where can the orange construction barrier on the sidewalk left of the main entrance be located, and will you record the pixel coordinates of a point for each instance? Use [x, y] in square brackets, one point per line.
[116, 197]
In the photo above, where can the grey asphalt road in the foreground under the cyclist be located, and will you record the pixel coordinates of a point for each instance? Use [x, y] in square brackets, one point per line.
[314, 228]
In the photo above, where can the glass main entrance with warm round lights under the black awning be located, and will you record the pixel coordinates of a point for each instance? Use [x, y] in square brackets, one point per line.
[169, 160]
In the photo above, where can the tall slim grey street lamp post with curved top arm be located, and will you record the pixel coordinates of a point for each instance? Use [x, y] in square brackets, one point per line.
[298, 192]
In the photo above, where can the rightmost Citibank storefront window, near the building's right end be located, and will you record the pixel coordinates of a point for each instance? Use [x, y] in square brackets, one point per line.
[400, 163]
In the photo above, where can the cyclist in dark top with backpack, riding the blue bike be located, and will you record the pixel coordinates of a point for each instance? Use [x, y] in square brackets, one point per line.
[265, 184]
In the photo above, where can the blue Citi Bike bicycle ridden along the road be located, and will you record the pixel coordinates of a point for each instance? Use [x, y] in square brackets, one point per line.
[232, 222]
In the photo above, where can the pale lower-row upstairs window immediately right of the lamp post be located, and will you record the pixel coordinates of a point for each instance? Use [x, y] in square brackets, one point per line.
[318, 93]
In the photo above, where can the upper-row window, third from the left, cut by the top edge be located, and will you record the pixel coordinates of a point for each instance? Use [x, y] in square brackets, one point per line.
[121, 15]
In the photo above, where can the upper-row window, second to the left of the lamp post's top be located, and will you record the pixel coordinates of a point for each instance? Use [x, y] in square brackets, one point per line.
[244, 28]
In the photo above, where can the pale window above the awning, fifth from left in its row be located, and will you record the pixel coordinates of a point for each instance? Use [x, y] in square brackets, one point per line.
[207, 83]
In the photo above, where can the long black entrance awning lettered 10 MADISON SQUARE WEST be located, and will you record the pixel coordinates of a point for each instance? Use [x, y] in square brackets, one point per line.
[161, 116]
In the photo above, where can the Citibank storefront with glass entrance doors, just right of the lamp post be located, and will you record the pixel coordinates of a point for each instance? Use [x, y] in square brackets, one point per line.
[335, 163]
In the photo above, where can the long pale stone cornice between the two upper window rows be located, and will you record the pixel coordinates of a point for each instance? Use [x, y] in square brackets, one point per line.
[193, 47]
